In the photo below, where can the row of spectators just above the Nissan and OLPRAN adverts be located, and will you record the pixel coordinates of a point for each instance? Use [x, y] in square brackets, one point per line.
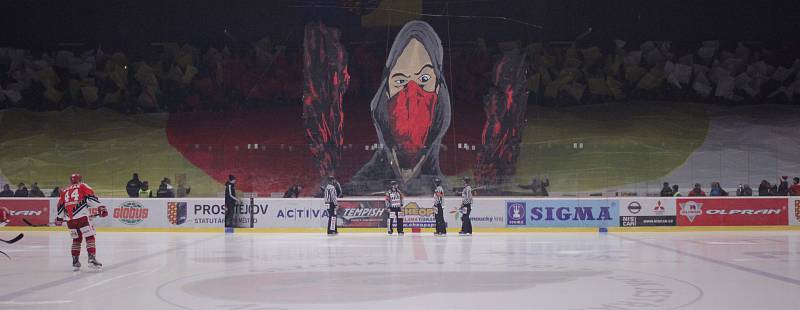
[764, 189]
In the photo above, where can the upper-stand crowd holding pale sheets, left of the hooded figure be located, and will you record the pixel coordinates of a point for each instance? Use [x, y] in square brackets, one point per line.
[175, 78]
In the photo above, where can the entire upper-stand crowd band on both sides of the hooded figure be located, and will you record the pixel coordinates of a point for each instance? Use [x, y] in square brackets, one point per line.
[176, 77]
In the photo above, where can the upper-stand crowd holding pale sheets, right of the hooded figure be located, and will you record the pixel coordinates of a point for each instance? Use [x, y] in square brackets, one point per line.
[657, 70]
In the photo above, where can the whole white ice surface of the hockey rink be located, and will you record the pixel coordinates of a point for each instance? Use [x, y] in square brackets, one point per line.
[678, 270]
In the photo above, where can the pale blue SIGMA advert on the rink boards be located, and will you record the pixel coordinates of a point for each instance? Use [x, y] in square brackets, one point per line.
[563, 213]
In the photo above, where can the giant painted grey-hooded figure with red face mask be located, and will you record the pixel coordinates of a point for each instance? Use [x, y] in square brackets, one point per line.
[411, 112]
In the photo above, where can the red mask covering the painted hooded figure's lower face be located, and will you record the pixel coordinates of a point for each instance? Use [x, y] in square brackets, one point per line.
[410, 122]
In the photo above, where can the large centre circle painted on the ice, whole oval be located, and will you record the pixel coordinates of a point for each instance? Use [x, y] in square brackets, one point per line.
[436, 285]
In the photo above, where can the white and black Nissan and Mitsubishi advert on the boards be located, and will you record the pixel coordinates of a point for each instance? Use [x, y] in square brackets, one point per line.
[647, 212]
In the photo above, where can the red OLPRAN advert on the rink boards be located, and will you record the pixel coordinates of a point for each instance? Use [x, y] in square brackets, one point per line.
[732, 211]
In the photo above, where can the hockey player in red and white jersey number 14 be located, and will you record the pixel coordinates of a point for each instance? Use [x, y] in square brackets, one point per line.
[74, 204]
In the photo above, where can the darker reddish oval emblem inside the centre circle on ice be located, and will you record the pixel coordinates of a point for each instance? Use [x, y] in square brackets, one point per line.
[339, 287]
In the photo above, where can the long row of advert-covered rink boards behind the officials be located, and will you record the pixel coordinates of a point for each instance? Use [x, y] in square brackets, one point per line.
[488, 214]
